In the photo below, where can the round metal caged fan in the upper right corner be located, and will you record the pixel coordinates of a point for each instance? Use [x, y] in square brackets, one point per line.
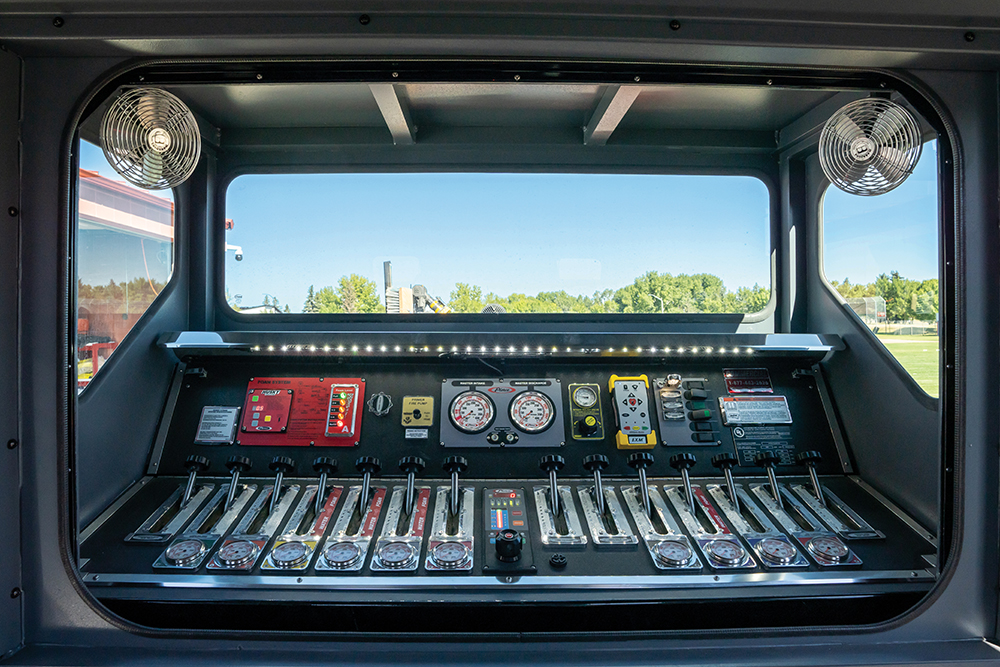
[870, 146]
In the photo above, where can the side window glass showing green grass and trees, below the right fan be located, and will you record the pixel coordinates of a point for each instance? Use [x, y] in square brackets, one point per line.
[881, 254]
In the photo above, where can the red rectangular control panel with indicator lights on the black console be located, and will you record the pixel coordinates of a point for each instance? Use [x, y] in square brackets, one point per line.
[302, 412]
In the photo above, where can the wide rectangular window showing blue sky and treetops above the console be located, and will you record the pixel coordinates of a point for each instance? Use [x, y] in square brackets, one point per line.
[501, 242]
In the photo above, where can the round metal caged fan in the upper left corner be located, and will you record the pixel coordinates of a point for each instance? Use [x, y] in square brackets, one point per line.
[151, 138]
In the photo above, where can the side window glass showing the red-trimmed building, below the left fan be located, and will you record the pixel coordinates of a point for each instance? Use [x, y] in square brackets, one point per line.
[125, 255]
